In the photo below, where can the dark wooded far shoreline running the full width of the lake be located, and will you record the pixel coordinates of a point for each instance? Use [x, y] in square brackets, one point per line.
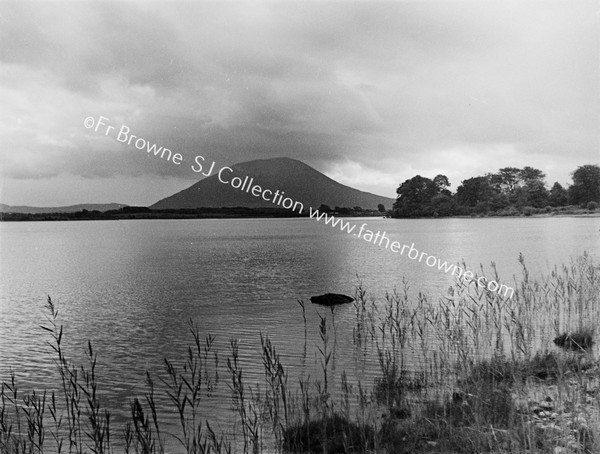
[509, 192]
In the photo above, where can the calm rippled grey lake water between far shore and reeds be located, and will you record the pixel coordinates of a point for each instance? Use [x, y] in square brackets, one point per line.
[132, 286]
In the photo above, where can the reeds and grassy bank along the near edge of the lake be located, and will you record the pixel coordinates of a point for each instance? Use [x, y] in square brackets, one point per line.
[471, 373]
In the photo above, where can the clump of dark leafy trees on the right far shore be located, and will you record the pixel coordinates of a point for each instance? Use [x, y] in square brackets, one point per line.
[510, 191]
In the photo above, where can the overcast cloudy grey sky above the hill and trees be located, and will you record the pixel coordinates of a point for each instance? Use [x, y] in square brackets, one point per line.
[369, 93]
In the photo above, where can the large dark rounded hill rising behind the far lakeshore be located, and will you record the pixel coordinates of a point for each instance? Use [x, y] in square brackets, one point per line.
[299, 181]
